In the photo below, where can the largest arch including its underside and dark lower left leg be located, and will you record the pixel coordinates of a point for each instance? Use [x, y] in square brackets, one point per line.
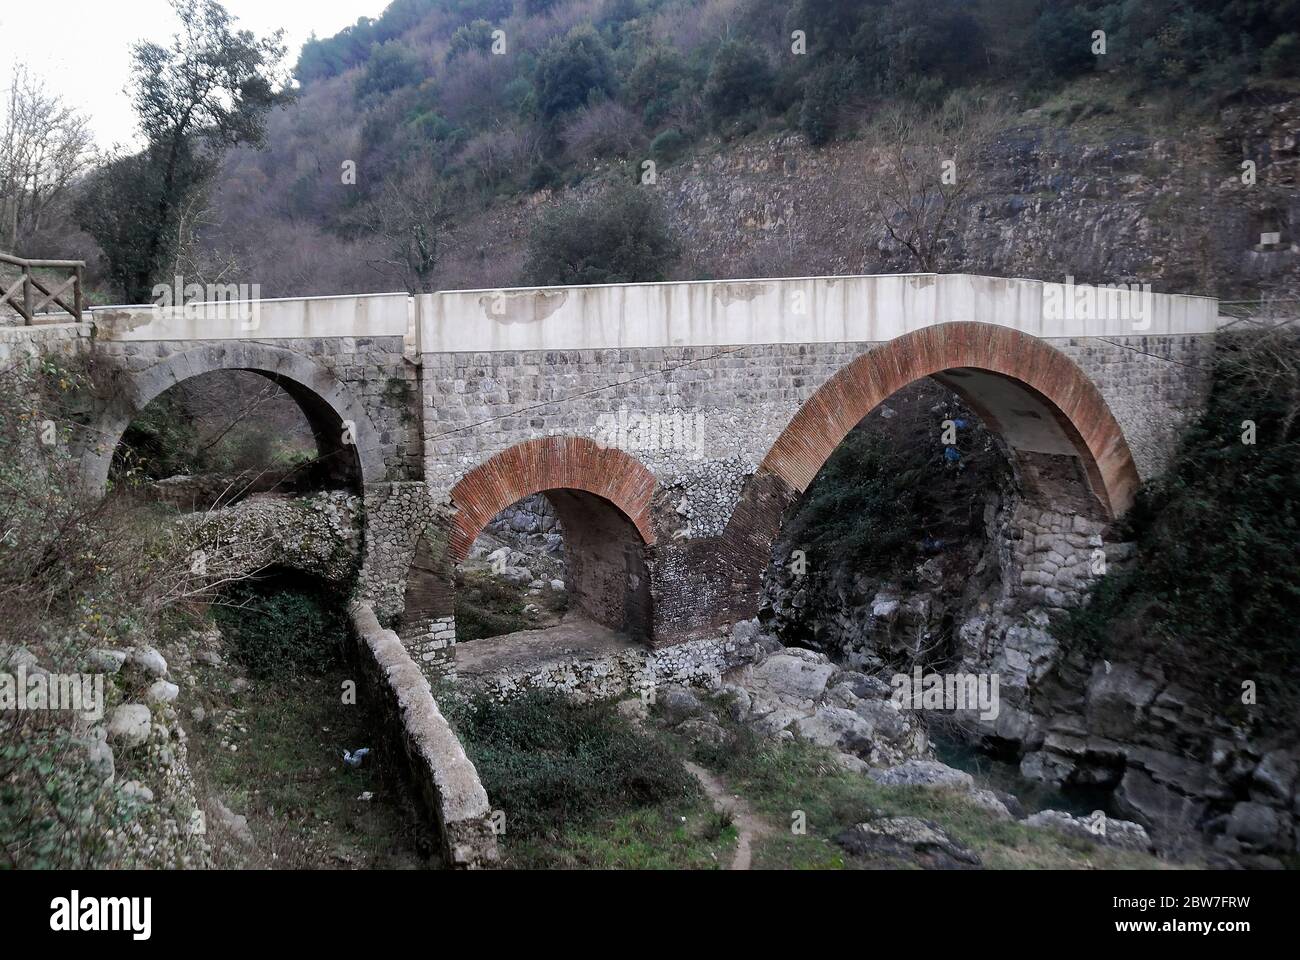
[1004, 374]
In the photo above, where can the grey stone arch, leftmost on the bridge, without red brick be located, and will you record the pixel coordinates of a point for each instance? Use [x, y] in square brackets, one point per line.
[324, 400]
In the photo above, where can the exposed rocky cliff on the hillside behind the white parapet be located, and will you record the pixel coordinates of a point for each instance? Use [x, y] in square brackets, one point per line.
[1102, 205]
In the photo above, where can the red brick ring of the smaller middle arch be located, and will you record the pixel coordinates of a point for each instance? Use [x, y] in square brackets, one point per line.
[551, 464]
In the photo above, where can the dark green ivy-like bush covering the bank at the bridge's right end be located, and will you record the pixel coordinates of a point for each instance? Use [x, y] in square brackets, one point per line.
[1217, 577]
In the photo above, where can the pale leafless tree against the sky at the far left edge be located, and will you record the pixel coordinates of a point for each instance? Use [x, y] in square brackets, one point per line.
[46, 146]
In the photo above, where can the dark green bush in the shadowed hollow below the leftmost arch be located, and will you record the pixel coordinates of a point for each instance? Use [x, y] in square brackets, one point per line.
[283, 626]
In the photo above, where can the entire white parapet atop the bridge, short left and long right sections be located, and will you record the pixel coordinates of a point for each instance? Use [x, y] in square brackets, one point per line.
[727, 313]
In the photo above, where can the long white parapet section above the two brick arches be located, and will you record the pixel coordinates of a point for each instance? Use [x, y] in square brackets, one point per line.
[791, 312]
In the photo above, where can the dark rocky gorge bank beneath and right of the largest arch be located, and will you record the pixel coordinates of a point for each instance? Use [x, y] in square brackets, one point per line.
[990, 603]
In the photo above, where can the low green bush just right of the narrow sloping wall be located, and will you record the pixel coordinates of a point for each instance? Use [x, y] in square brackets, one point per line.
[549, 763]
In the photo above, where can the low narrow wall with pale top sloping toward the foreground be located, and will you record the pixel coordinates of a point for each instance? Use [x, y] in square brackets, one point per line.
[443, 772]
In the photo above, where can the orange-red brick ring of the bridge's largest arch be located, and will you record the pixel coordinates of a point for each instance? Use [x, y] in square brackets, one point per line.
[822, 423]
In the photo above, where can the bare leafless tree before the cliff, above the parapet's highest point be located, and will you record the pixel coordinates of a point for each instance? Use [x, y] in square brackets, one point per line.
[926, 175]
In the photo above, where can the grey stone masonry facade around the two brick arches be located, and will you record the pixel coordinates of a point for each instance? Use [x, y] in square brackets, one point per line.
[478, 405]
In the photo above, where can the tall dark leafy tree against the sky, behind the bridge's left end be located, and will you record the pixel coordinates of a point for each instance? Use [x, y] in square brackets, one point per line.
[211, 90]
